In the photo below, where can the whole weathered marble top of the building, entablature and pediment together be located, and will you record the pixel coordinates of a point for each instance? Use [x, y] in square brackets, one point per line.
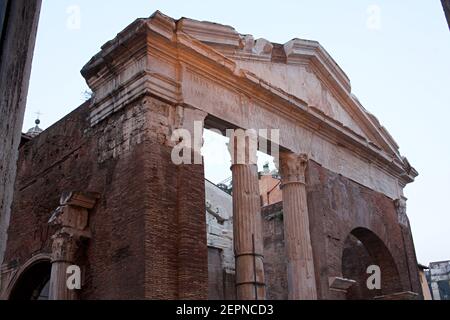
[211, 68]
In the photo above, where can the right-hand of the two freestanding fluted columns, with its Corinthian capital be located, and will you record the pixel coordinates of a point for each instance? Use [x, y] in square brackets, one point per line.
[300, 264]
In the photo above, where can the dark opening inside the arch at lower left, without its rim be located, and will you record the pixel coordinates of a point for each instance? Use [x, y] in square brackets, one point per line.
[33, 283]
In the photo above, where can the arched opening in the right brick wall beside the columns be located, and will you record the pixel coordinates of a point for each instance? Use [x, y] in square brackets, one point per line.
[362, 249]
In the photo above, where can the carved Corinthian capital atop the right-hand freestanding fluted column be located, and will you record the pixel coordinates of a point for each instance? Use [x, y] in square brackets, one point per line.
[292, 167]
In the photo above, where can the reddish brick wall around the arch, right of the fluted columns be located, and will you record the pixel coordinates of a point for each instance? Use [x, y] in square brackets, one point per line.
[337, 207]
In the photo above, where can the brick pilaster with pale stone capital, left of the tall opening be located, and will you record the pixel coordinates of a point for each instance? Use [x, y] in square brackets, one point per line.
[192, 242]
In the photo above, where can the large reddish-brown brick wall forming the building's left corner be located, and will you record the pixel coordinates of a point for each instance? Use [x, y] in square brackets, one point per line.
[148, 228]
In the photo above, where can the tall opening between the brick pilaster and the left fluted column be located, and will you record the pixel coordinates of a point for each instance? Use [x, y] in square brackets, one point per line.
[219, 207]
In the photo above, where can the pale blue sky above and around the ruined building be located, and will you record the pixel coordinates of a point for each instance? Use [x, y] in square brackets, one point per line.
[399, 69]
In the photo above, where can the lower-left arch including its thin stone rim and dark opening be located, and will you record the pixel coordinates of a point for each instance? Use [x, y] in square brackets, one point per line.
[31, 281]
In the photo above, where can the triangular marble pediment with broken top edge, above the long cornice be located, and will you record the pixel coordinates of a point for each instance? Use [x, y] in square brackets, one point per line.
[301, 68]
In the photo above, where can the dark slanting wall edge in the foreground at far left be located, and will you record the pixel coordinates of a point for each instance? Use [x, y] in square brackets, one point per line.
[19, 20]
